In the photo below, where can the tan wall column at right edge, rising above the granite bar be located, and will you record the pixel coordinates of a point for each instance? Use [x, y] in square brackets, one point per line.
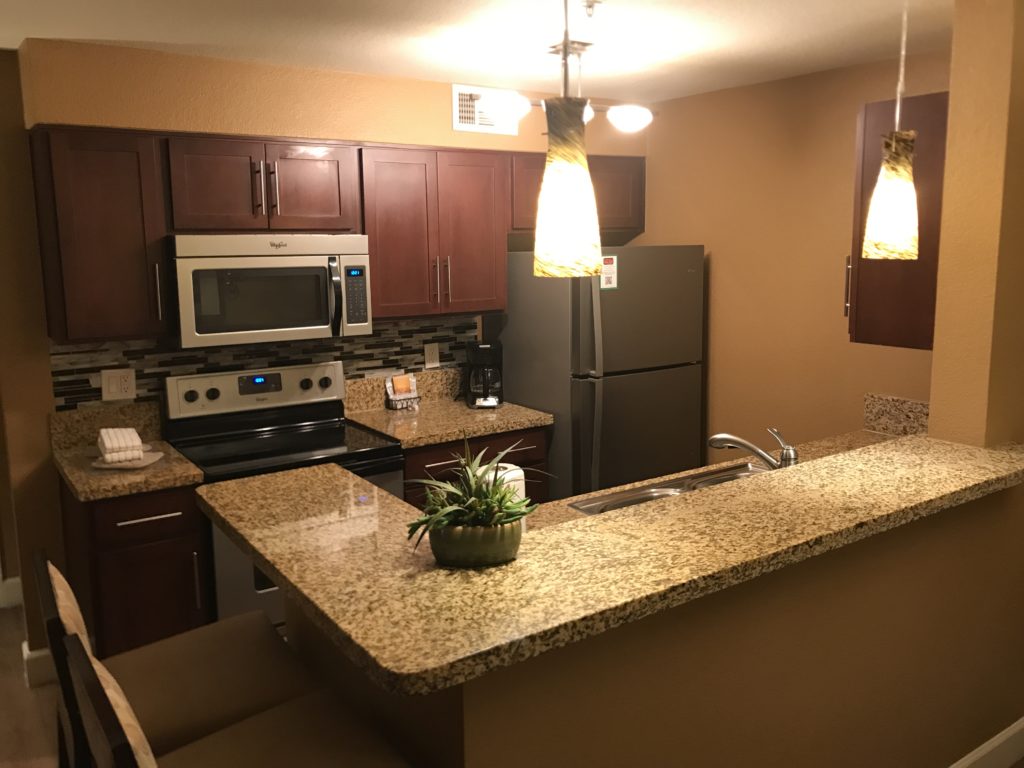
[979, 352]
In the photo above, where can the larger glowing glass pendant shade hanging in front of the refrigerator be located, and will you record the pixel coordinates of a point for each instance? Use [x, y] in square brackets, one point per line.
[568, 242]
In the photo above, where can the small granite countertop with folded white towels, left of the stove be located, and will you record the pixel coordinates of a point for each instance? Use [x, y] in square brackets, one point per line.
[90, 484]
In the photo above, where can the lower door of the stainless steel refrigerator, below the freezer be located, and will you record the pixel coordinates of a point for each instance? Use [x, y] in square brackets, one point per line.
[637, 426]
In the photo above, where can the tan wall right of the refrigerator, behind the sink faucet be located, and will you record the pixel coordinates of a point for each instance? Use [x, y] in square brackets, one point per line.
[763, 177]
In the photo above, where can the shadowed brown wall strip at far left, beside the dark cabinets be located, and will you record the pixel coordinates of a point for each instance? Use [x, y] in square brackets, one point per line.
[25, 364]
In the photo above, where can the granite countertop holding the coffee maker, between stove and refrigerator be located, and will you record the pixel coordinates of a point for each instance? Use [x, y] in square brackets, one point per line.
[441, 421]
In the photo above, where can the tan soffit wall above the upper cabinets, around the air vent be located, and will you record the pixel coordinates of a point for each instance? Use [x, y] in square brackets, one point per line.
[89, 84]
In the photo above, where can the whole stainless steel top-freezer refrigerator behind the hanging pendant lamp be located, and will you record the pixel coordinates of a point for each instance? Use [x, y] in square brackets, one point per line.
[619, 360]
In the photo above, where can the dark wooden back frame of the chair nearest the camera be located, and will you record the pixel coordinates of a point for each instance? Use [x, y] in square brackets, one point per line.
[108, 743]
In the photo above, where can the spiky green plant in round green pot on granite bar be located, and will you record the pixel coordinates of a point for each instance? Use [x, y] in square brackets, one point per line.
[475, 519]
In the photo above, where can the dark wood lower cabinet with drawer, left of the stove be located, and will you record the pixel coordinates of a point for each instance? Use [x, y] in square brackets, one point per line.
[142, 566]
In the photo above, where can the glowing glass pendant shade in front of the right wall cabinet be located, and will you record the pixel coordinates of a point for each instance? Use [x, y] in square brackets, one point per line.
[891, 232]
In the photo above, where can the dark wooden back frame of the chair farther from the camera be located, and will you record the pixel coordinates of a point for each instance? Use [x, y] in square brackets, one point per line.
[74, 751]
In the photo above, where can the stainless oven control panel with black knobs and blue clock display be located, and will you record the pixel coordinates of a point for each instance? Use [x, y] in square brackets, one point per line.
[208, 395]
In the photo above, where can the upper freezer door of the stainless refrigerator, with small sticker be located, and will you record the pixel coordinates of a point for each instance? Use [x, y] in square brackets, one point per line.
[653, 318]
